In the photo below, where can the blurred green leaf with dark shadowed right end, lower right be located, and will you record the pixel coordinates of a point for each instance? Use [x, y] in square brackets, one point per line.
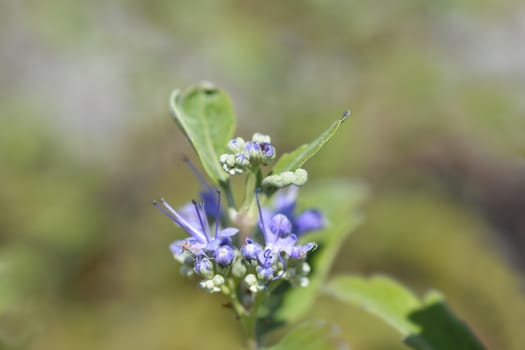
[424, 324]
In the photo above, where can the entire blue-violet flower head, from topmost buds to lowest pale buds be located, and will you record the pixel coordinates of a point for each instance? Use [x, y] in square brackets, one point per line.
[245, 252]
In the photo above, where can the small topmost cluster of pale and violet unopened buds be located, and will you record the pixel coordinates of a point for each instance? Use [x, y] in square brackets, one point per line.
[247, 155]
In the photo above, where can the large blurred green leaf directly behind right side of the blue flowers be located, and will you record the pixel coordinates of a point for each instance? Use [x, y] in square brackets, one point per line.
[338, 201]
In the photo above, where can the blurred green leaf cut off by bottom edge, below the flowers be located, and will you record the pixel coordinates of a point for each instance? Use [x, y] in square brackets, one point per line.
[309, 336]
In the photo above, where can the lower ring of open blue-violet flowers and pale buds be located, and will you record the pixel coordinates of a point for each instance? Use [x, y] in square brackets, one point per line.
[217, 255]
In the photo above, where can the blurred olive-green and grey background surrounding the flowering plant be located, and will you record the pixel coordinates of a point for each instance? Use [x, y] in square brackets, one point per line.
[437, 131]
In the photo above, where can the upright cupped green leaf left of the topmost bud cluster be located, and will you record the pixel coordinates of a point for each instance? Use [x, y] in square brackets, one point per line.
[205, 115]
